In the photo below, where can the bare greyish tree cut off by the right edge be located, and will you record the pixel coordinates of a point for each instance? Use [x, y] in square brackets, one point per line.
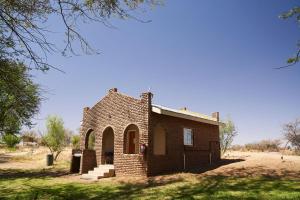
[291, 132]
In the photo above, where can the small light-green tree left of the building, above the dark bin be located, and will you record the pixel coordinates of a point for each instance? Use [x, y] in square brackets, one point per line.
[55, 138]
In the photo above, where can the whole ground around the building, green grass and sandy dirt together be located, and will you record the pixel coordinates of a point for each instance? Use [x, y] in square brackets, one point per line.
[237, 179]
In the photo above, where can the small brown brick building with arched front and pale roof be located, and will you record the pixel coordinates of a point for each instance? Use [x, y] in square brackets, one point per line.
[140, 138]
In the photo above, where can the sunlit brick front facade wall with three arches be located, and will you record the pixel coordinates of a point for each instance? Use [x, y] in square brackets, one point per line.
[118, 111]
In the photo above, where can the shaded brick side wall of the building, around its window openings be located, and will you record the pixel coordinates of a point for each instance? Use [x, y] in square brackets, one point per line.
[195, 156]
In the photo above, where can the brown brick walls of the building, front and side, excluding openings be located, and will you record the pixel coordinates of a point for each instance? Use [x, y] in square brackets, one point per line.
[118, 111]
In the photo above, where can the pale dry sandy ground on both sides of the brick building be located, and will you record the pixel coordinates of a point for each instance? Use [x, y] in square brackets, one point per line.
[241, 164]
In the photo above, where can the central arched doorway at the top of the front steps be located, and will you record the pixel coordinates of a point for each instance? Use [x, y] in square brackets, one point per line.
[107, 156]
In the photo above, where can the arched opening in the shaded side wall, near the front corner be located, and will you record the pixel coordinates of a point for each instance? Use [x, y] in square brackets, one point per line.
[159, 141]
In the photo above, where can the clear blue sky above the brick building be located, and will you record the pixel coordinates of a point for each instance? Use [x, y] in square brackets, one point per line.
[209, 56]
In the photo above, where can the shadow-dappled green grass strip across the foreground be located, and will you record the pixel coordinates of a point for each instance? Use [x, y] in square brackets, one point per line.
[46, 184]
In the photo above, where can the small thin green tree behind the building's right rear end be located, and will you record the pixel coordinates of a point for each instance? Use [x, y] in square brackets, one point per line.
[227, 133]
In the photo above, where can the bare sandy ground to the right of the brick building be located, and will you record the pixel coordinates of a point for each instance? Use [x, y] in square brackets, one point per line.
[259, 164]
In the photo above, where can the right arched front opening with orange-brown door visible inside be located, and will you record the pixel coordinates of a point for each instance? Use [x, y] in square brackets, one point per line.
[131, 140]
